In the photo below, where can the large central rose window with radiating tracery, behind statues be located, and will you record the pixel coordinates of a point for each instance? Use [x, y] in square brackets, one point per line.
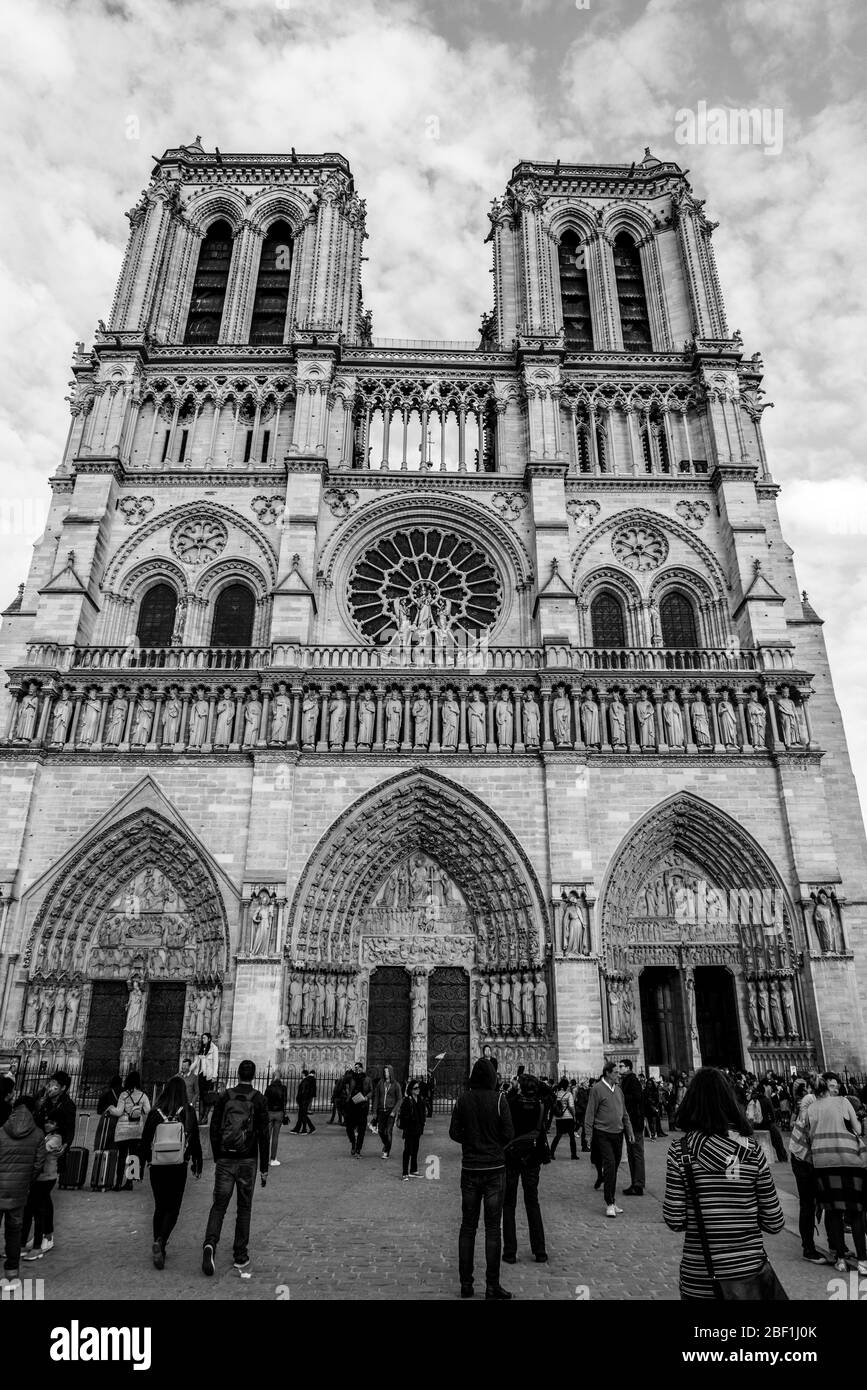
[420, 576]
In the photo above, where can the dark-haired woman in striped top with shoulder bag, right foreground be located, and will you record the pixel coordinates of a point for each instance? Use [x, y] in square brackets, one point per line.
[736, 1191]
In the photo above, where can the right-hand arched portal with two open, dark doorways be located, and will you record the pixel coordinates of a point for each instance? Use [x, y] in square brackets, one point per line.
[701, 958]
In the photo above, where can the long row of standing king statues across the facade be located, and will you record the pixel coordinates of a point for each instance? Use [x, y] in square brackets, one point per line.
[406, 711]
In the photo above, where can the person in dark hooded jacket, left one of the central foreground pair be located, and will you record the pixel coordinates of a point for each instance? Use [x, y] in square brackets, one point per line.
[481, 1124]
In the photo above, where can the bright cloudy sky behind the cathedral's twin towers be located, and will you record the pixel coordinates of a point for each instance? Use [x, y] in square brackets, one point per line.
[433, 105]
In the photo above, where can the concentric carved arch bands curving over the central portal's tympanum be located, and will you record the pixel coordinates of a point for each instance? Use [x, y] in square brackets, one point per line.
[420, 811]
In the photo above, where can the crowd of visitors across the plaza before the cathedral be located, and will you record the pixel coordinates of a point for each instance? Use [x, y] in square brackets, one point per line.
[726, 1128]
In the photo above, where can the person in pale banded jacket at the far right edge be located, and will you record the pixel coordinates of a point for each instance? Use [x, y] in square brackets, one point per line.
[833, 1135]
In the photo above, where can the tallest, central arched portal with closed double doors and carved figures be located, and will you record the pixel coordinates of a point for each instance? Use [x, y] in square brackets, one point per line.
[419, 931]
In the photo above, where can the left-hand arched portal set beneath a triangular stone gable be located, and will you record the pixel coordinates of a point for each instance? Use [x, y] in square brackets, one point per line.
[129, 954]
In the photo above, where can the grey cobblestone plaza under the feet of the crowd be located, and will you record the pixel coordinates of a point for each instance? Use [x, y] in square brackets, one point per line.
[331, 1228]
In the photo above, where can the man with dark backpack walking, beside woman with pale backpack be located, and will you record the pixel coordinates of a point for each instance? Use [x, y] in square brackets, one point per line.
[240, 1138]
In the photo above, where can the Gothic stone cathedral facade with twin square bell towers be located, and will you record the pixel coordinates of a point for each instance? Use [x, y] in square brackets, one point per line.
[386, 700]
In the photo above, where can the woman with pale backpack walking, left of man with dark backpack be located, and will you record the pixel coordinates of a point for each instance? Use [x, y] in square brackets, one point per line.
[170, 1146]
